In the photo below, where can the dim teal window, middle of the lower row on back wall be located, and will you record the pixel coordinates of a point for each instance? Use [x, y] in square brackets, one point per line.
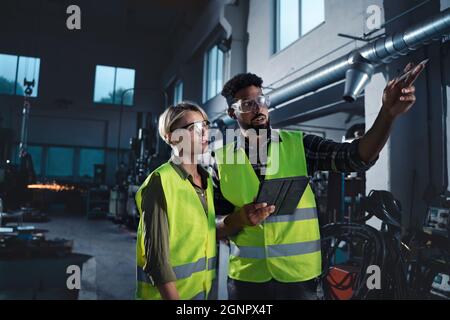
[60, 162]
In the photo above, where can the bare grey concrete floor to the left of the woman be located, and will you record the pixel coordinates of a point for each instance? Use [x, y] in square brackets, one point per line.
[110, 273]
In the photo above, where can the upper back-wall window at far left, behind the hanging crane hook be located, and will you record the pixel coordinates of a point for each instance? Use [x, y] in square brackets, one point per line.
[14, 70]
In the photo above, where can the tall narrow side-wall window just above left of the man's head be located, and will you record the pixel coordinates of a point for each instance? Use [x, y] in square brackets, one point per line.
[213, 73]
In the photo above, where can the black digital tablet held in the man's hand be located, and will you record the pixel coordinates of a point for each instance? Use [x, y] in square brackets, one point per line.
[284, 193]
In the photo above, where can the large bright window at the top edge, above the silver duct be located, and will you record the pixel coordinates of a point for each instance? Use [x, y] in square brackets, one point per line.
[295, 18]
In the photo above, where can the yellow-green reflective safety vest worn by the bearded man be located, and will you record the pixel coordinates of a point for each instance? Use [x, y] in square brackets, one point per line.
[285, 247]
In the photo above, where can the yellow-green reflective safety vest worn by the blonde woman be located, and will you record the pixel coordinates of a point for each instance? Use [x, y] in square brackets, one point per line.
[192, 238]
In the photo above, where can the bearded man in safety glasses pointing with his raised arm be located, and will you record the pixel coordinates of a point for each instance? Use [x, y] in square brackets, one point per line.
[281, 257]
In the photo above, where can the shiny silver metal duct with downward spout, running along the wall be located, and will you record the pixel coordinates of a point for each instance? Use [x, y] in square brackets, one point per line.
[358, 66]
